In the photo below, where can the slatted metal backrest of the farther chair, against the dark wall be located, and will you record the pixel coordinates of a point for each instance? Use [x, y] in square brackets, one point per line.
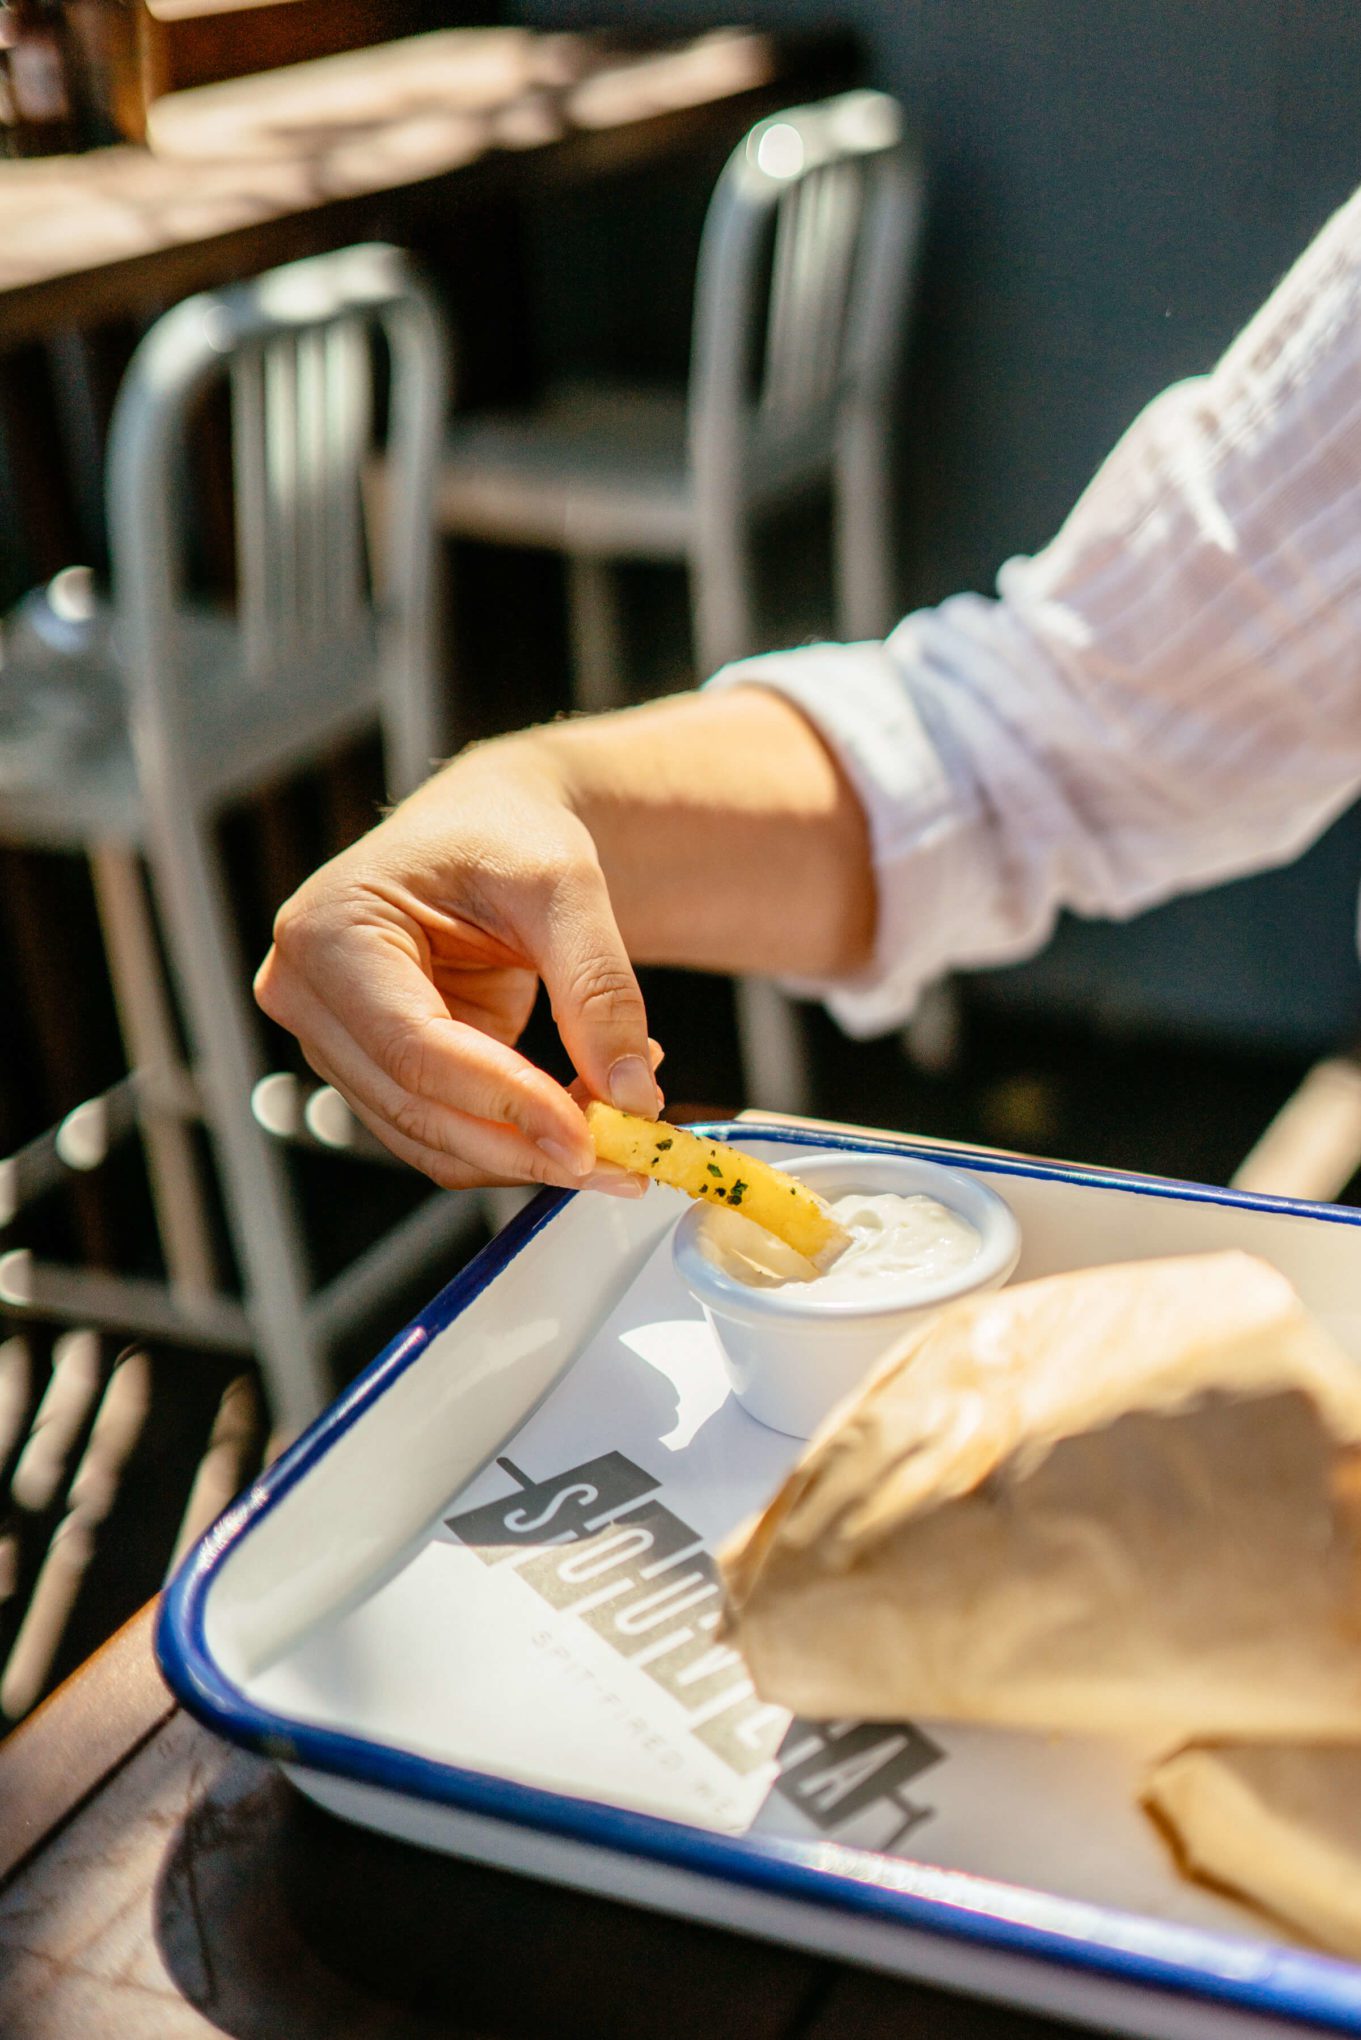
[801, 299]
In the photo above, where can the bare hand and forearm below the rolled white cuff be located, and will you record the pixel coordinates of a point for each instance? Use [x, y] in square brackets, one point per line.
[701, 831]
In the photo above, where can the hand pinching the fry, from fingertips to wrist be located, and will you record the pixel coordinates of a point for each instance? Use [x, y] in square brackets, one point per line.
[409, 968]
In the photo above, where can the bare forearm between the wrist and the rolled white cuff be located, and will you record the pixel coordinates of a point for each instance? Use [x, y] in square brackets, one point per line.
[727, 833]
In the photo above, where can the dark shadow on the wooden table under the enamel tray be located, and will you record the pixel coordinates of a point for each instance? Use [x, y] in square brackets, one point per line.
[281, 1921]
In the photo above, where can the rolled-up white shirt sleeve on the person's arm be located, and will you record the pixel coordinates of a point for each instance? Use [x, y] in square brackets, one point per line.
[1164, 699]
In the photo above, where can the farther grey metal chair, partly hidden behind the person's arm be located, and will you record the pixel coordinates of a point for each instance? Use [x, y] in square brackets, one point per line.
[801, 309]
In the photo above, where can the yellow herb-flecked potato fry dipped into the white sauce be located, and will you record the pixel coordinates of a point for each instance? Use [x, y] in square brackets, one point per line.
[721, 1174]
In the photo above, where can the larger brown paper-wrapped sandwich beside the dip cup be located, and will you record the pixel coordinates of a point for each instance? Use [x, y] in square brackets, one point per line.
[1125, 1500]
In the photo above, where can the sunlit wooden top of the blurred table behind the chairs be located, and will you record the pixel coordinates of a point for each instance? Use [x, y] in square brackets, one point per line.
[254, 172]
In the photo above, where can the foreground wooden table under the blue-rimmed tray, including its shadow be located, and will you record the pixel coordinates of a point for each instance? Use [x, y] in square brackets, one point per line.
[156, 1882]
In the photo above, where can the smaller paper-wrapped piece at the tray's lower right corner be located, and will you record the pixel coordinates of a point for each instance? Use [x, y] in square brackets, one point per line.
[1274, 1825]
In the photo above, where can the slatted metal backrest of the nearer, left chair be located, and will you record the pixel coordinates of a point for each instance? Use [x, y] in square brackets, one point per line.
[315, 609]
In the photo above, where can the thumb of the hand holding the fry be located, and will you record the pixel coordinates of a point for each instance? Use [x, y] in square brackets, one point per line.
[597, 1001]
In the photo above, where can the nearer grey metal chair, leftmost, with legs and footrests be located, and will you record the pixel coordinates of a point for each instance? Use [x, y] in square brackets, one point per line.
[332, 631]
